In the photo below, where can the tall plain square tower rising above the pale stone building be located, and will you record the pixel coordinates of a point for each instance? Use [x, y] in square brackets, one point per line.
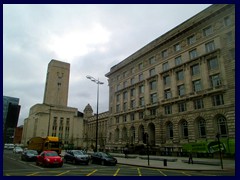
[57, 83]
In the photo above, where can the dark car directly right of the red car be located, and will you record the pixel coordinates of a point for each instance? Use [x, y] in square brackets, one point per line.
[76, 157]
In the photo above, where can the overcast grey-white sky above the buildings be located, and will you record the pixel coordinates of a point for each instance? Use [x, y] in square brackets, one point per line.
[92, 38]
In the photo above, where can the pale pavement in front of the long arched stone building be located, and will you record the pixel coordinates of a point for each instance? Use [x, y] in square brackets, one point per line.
[177, 163]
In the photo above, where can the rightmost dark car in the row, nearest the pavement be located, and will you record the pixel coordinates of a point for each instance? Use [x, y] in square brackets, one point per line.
[103, 158]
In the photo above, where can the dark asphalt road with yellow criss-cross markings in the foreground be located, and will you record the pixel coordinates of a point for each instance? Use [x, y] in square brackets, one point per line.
[14, 166]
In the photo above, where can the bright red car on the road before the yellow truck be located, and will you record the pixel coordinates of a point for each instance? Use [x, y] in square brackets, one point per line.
[49, 158]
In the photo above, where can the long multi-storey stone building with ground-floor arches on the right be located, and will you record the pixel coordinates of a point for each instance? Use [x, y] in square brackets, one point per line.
[179, 88]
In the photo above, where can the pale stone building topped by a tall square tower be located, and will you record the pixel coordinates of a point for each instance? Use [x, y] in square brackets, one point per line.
[53, 117]
